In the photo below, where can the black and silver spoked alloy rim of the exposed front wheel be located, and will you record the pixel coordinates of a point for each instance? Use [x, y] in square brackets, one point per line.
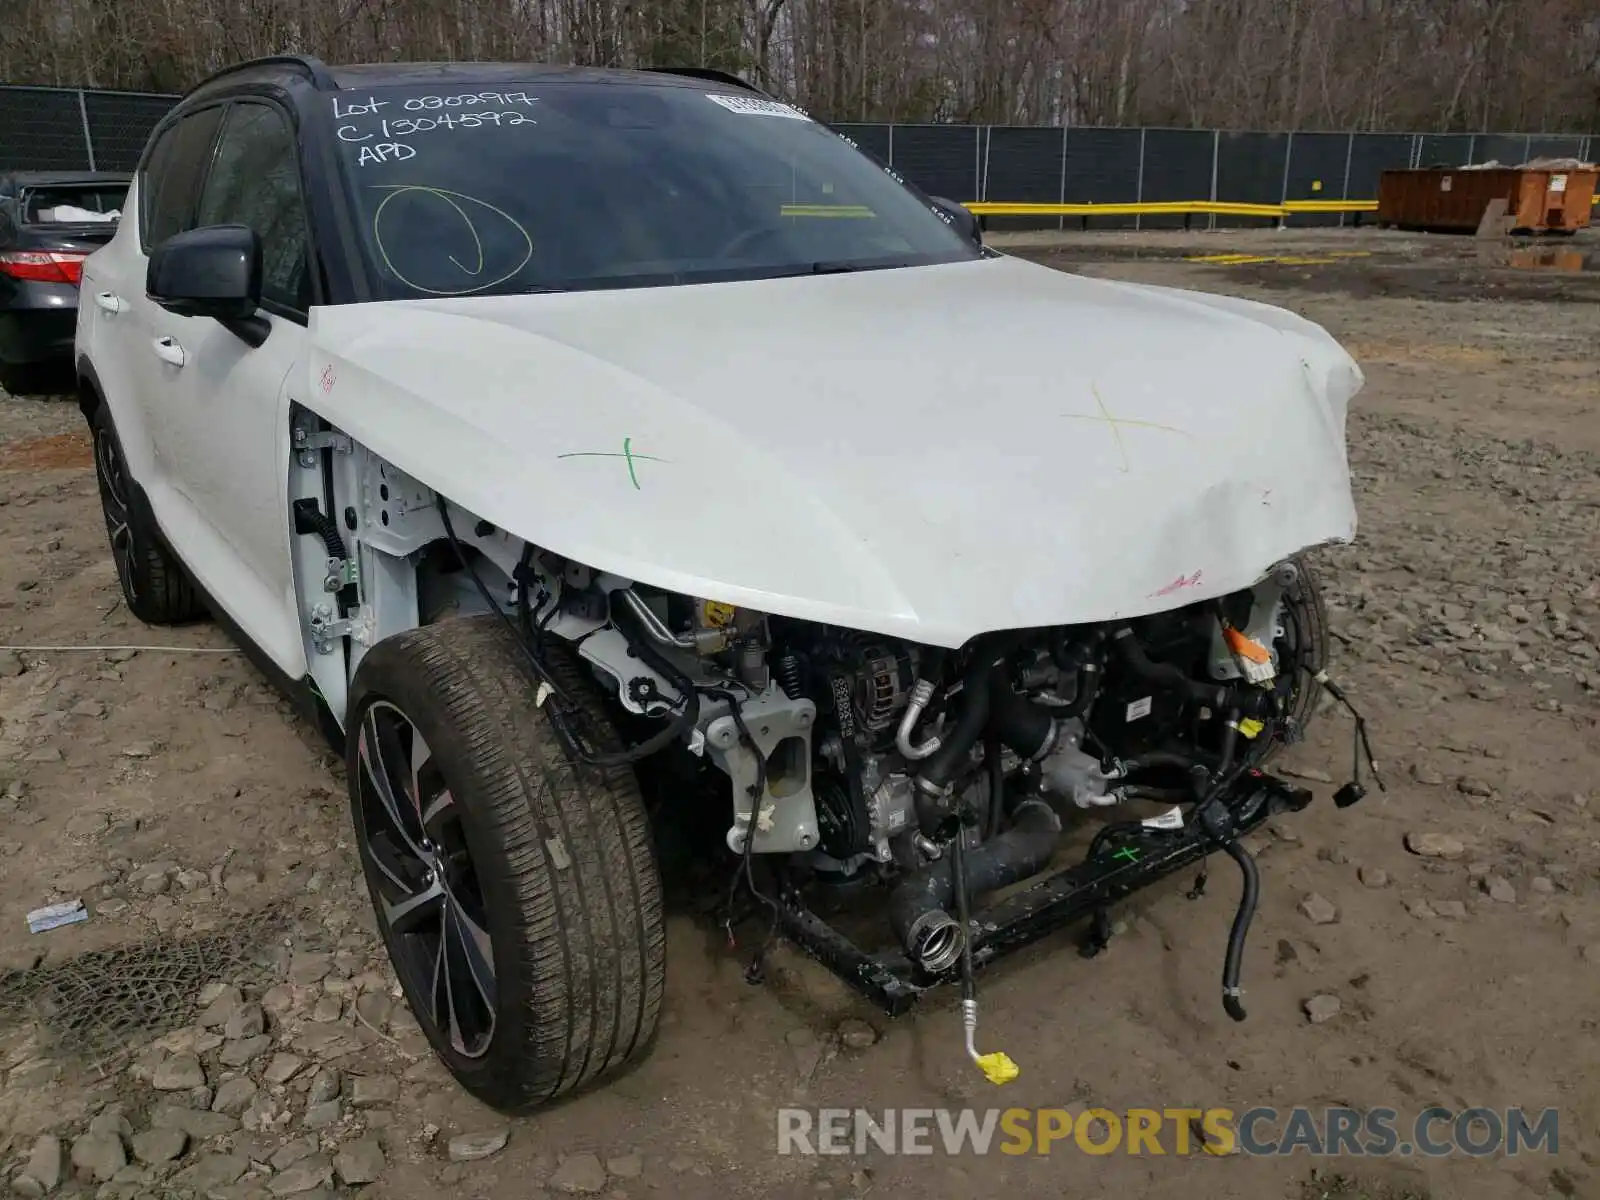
[428, 886]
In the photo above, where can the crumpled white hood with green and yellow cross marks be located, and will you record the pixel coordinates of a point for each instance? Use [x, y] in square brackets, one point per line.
[927, 452]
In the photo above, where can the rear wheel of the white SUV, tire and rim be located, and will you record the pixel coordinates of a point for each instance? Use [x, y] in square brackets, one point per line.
[154, 585]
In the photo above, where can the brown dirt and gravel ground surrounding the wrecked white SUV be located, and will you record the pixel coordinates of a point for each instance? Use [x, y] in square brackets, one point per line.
[207, 834]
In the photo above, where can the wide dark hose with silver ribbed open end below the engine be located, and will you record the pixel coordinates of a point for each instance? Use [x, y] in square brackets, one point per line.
[921, 905]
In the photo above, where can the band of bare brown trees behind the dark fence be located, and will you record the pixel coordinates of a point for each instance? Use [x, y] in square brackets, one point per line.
[1276, 65]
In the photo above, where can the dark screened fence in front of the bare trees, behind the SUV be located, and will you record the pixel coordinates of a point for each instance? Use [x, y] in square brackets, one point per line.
[78, 129]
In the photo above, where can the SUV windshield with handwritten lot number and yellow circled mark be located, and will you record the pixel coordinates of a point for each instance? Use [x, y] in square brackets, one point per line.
[602, 185]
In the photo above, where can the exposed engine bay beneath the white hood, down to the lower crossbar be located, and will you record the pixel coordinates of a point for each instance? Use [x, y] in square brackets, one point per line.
[871, 764]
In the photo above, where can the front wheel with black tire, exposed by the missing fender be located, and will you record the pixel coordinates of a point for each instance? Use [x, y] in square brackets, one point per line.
[567, 886]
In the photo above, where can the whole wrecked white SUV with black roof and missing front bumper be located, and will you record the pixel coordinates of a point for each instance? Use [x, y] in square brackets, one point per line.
[919, 567]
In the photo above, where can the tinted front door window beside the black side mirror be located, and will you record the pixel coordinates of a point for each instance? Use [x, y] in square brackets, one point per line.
[255, 182]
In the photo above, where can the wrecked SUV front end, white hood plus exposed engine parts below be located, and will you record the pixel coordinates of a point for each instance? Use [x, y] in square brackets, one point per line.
[956, 674]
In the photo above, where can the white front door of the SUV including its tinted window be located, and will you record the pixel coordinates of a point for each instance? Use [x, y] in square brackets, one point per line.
[220, 414]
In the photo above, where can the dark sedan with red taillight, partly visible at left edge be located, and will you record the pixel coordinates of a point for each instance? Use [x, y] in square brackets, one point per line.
[50, 222]
